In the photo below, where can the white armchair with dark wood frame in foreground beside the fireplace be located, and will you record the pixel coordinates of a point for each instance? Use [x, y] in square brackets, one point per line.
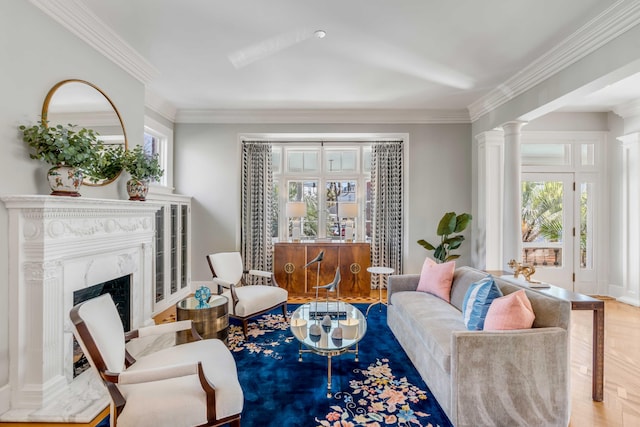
[193, 384]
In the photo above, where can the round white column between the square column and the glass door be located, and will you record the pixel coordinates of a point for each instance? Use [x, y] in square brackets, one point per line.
[511, 221]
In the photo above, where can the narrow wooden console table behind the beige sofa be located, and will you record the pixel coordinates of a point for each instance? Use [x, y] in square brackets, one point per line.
[582, 302]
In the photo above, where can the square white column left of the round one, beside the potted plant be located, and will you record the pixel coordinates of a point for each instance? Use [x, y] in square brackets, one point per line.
[490, 182]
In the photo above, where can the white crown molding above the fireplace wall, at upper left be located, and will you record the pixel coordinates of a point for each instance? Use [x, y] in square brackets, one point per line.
[78, 19]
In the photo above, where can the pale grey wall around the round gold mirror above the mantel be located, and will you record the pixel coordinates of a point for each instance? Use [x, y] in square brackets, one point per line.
[36, 53]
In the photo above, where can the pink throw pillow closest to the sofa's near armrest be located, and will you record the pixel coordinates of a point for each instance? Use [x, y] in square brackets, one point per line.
[509, 312]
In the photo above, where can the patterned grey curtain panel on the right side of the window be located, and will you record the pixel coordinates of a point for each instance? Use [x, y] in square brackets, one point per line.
[387, 193]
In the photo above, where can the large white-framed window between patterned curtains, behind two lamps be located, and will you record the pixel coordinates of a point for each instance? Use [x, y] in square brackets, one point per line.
[323, 177]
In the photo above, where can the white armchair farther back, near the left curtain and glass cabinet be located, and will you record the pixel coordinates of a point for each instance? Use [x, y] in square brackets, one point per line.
[245, 301]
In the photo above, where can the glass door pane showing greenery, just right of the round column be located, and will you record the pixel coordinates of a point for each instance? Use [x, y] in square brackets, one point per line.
[547, 227]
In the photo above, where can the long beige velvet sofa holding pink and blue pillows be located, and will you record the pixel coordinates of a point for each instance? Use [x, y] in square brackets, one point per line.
[483, 378]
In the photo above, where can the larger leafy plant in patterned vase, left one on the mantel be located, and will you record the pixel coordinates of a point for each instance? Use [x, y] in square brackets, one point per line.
[67, 149]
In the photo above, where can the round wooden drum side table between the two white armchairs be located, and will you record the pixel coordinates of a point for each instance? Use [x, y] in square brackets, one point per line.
[211, 321]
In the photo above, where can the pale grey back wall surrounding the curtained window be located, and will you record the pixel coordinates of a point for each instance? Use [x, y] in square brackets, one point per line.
[438, 175]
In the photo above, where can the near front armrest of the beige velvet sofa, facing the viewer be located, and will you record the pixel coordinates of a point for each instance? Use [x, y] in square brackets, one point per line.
[510, 377]
